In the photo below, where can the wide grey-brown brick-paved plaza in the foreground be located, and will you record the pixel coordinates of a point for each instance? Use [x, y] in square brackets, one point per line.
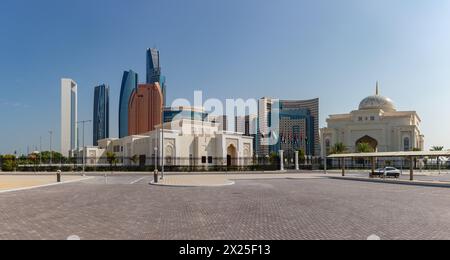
[127, 207]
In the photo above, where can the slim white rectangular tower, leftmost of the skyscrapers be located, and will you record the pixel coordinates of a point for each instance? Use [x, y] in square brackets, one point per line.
[69, 116]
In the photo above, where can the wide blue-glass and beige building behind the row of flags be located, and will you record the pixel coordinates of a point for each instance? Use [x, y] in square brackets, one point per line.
[288, 125]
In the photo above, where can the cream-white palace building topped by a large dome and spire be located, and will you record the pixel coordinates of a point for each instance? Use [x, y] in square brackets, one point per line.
[377, 123]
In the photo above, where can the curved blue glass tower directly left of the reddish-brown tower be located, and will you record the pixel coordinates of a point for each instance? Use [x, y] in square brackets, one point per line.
[129, 84]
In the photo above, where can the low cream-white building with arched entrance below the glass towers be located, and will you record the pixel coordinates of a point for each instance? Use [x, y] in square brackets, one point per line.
[186, 143]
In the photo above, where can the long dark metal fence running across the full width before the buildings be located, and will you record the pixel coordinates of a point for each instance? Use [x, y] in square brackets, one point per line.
[143, 163]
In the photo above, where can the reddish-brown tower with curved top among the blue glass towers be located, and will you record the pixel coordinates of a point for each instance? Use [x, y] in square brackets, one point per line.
[145, 109]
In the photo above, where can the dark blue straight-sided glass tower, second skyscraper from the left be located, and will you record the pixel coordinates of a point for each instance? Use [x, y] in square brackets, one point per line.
[101, 113]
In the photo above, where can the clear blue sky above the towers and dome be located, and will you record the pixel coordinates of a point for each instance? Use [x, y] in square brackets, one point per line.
[294, 49]
